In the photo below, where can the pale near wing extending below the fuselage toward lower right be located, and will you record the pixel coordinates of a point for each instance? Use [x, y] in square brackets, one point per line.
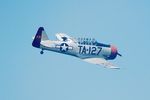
[100, 61]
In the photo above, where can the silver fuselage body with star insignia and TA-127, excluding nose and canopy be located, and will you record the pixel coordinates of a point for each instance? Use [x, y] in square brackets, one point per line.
[75, 49]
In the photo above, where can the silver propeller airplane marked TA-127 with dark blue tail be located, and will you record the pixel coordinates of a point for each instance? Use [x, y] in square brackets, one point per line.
[87, 49]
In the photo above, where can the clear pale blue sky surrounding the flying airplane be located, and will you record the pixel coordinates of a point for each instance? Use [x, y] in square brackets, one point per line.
[27, 75]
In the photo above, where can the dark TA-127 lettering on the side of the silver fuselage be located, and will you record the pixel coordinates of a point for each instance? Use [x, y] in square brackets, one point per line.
[90, 50]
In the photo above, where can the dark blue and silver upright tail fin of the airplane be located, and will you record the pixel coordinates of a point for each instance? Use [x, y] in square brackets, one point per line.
[40, 36]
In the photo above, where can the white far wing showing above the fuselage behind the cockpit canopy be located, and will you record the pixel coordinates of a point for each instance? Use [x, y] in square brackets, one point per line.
[64, 37]
